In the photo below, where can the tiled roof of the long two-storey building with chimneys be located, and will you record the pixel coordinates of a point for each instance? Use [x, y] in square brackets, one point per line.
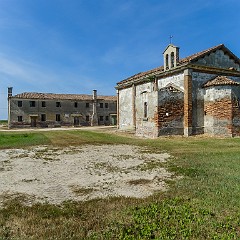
[55, 96]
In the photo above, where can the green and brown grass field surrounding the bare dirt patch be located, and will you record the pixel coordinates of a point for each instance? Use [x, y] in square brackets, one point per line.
[204, 204]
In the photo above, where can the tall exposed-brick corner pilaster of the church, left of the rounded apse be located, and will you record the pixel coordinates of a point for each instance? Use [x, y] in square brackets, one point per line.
[187, 102]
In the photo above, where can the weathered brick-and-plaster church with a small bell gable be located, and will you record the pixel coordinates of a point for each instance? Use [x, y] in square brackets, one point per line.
[194, 95]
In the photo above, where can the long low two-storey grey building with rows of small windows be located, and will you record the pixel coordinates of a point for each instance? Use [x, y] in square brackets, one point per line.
[55, 110]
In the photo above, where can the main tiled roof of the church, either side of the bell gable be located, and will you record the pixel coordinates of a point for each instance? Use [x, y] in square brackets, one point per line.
[182, 61]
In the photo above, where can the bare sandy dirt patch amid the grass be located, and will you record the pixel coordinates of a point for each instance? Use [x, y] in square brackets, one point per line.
[54, 175]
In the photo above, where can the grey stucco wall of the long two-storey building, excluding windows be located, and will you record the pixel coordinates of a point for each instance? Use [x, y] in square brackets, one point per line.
[67, 111]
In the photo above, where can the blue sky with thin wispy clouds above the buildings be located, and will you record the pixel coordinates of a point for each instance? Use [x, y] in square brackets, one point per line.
[75, 46]
